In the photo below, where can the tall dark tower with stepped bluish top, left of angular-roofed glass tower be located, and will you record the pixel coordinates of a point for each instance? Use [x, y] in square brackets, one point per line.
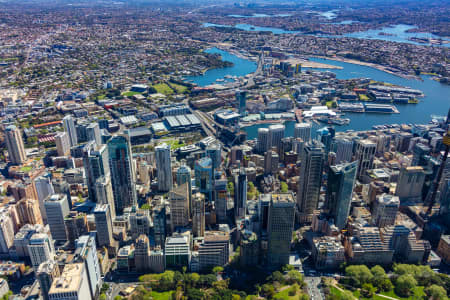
[310, 181]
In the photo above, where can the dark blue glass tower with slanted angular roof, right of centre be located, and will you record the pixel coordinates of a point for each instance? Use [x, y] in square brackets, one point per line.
[341, 180]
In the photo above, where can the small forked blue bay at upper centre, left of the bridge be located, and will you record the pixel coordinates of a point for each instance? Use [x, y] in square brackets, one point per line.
[241, 67]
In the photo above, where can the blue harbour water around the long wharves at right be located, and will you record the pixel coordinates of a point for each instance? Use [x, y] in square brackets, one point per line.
[435, 102]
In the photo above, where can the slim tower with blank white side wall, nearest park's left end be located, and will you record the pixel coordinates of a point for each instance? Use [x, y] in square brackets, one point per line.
[86, 252]
